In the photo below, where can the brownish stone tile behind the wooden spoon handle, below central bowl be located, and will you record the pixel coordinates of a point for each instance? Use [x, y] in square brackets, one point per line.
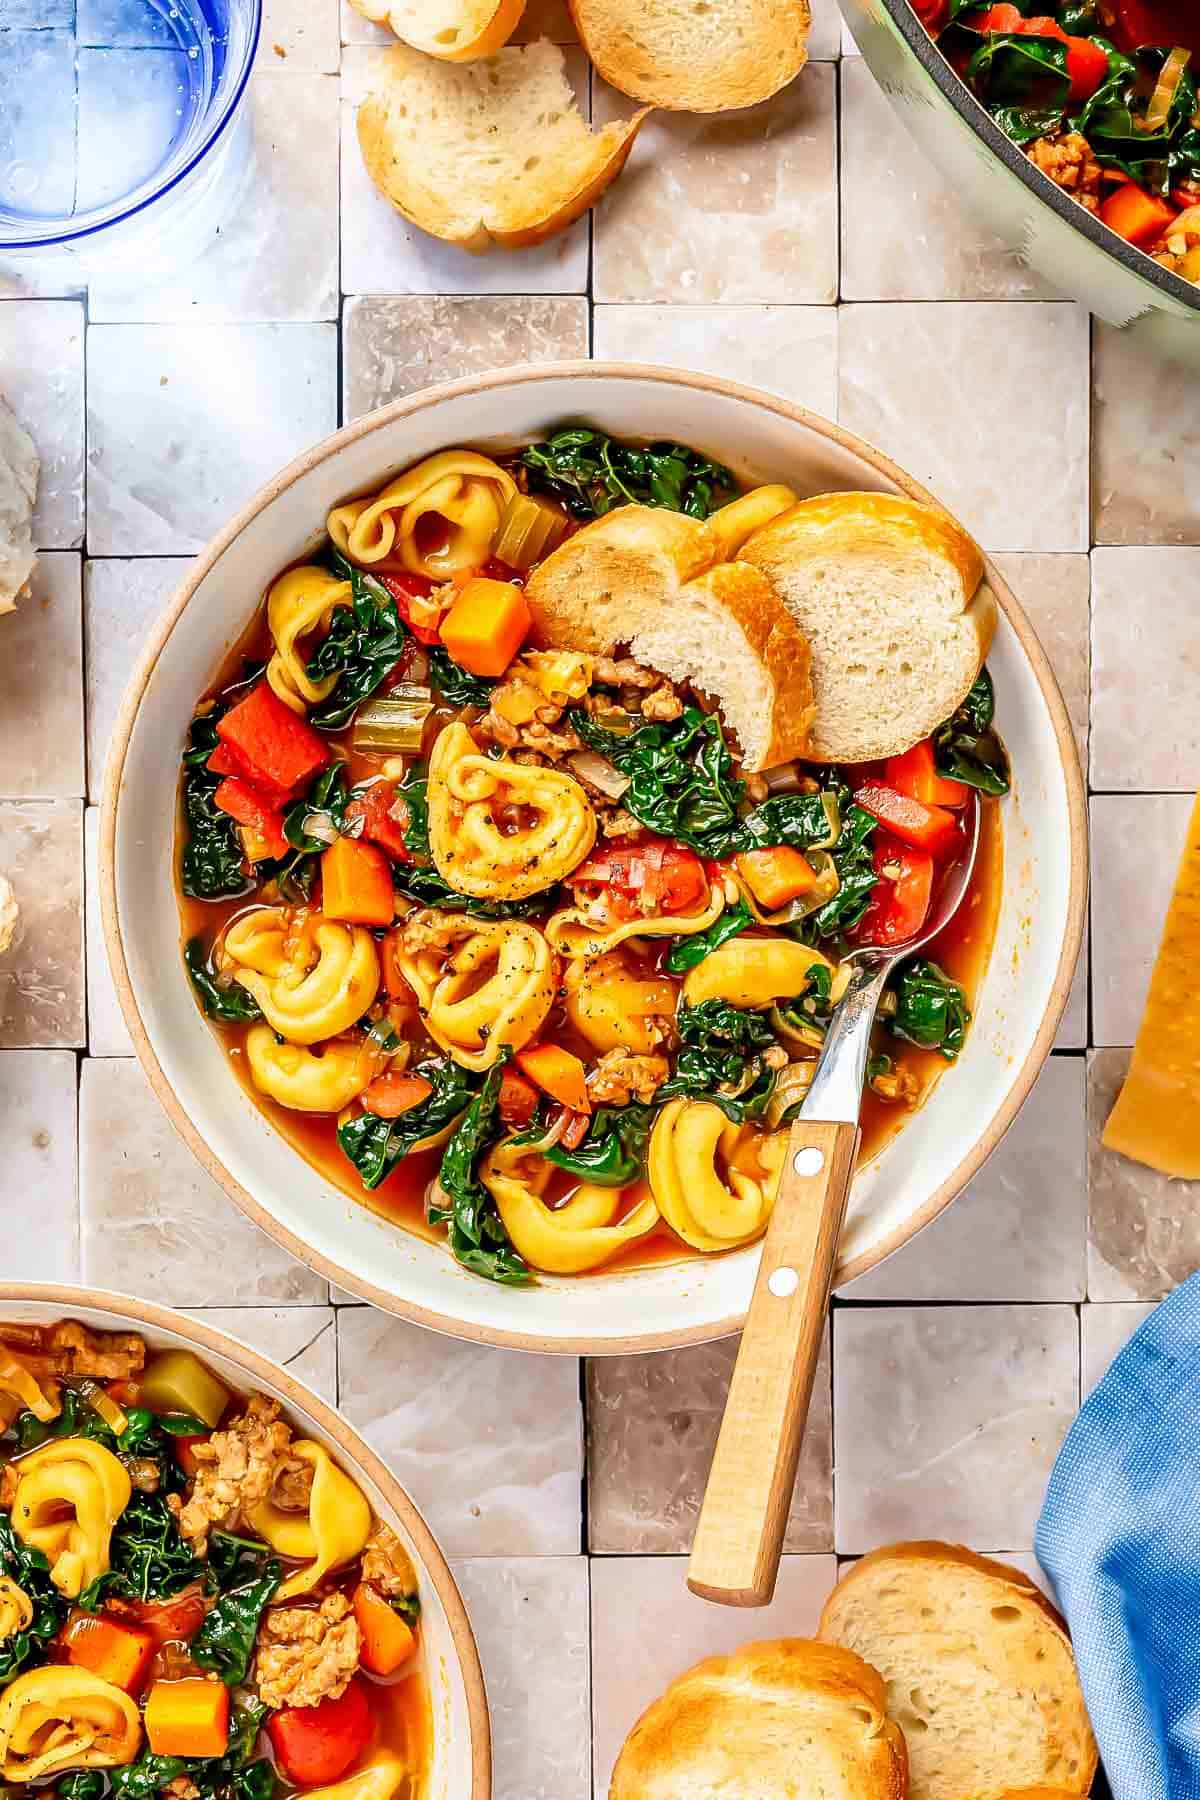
[652, 1432]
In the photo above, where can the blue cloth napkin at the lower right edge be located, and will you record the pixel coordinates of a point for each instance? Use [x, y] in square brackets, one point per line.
[1120, 1536]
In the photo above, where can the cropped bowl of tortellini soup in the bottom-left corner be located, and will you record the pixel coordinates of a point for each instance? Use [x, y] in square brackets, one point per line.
[208, 1579]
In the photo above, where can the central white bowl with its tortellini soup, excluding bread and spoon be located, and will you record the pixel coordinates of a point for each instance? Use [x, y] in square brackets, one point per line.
[488, 975]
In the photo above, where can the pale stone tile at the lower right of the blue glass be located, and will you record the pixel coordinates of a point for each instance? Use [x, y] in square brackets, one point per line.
[276, 255]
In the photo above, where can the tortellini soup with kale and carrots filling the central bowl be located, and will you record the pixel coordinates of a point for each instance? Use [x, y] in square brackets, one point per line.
[501, 933]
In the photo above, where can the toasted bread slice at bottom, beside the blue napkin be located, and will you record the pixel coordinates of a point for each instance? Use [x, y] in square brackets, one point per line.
[978, 1666]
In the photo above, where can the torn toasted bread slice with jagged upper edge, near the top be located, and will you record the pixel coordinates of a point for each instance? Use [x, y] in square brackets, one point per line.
[487, 154]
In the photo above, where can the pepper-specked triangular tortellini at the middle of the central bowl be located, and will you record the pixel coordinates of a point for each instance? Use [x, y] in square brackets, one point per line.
[503, 831]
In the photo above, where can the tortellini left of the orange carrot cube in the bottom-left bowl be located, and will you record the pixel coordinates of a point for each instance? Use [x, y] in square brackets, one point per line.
[62, 1718]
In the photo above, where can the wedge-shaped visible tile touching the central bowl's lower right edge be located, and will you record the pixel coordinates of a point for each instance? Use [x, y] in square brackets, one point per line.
[1019, 1230]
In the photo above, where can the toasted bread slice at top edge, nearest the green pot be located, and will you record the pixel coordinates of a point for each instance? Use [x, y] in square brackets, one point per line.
[730, 53]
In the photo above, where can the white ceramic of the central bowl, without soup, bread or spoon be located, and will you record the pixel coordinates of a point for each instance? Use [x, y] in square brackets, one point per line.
[672, 1304]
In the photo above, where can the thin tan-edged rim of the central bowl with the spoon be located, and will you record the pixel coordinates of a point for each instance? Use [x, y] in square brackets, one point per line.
[114, 780]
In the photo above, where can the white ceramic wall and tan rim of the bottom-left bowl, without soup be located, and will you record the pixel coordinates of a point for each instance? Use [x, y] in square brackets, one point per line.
[460, 1704]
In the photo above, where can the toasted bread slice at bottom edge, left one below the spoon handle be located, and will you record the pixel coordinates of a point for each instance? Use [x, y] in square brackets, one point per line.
[775, 1722]
